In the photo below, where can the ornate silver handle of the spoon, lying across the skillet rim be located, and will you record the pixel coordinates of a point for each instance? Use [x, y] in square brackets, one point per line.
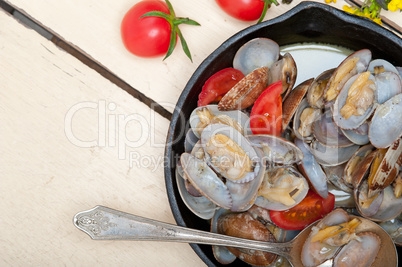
[105, 223]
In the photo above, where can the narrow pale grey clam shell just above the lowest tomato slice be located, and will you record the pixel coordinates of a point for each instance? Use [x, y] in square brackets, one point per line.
[310, 168]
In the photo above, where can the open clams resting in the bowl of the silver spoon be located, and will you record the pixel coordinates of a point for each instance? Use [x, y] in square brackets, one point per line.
[348, 240]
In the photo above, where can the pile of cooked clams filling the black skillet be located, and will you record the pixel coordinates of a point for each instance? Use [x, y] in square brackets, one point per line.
[340, 133]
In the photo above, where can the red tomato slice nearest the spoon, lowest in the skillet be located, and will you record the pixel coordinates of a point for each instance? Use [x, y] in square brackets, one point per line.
[310, 209]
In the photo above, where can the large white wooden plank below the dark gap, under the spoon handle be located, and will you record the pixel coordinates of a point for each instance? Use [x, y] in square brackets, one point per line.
[65, 149]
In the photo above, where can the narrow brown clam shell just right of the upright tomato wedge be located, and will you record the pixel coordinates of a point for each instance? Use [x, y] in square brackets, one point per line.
[292, 101]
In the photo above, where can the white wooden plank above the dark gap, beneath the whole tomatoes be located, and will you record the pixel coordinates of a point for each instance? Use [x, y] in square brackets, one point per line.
[94, 26]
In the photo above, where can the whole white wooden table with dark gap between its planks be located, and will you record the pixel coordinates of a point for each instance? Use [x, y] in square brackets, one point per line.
[78, 135]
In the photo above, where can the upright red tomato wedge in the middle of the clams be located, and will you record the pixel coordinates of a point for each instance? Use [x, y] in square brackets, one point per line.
[266, 114]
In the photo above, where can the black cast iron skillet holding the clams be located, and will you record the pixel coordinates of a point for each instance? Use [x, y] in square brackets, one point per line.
[307, 22]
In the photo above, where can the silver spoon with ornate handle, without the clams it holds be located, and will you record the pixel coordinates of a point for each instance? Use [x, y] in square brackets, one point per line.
[108, 224]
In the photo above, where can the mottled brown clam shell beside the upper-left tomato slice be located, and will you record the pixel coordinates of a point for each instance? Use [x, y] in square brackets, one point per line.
[246, 91]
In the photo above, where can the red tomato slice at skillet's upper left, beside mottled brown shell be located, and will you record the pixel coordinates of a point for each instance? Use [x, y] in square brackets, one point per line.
[218, 85]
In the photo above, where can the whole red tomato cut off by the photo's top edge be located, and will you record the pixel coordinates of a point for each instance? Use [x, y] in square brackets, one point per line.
[247, 10]
